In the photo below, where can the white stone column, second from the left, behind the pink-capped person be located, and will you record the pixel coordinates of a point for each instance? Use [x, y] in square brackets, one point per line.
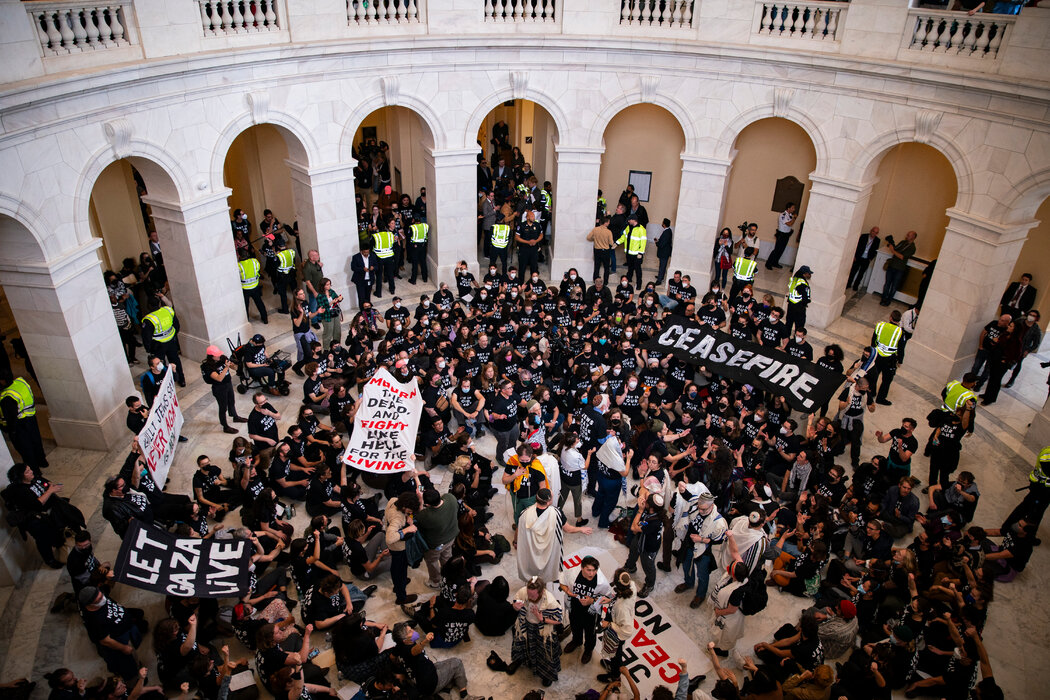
[202, 267]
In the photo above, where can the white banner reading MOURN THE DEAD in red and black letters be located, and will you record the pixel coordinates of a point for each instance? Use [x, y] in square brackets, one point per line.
[386, 427]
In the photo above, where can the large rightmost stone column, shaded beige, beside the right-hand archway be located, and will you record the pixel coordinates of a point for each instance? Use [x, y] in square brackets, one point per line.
[974, 268]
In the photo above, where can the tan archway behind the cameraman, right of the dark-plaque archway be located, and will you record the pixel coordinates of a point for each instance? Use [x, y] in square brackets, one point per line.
[916, 187]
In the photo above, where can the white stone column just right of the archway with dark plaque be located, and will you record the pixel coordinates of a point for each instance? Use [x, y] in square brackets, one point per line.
[833, 226]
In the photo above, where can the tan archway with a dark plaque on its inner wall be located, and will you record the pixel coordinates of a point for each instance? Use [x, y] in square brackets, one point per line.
[773, 159]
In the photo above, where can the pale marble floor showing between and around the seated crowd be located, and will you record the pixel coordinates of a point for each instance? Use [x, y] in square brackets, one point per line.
[34, 641]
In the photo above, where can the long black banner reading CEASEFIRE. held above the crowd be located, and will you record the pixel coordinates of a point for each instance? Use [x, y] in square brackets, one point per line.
[806, 386]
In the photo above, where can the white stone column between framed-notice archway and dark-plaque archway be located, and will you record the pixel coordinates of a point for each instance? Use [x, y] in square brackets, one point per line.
[698, 221]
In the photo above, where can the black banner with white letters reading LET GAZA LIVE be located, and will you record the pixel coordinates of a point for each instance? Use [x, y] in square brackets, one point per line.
[156, 561]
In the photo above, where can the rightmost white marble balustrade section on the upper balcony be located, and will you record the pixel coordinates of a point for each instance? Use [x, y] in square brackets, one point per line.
[957, 34]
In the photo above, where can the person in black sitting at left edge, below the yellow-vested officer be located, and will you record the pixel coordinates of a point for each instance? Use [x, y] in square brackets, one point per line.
[43, 513]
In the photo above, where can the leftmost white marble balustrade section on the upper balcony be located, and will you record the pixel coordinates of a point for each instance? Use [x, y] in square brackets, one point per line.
[72, 28]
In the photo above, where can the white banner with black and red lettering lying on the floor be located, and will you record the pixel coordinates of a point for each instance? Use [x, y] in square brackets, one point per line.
[653, 653]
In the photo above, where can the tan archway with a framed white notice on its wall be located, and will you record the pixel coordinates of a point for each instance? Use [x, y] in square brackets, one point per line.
[643, 154]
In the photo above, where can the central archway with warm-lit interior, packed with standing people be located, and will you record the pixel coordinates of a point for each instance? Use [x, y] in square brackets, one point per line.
[517, 140]
